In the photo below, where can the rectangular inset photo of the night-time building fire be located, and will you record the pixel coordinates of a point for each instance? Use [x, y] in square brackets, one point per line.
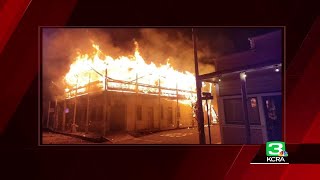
[211, 85]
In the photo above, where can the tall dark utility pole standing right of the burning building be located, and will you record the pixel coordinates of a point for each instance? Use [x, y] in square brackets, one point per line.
[202, 138]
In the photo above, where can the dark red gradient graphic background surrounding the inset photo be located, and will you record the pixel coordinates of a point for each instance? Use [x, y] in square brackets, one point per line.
[19, 73]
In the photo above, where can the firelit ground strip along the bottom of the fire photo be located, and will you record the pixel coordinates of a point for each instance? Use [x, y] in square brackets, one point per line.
[168, 136]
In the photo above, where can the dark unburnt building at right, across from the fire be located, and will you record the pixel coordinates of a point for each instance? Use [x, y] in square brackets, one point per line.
[264, 92]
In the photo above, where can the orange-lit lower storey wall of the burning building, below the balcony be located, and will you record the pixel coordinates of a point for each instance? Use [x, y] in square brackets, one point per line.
[124, 111]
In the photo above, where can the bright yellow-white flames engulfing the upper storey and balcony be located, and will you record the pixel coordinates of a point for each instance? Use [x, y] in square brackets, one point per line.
[127, 73]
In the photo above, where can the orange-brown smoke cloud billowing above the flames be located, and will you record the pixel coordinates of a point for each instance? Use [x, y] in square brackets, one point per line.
[60, 46]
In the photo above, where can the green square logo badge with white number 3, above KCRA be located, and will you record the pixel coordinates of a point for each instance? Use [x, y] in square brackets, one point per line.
[276, 148]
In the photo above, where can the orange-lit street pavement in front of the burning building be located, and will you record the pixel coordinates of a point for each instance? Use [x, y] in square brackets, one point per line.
[176, 136]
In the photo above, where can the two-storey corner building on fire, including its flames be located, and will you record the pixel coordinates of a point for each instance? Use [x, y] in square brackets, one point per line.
[105, 94]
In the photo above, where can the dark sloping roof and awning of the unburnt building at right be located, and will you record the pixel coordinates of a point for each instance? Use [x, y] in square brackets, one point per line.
[268, 53]
